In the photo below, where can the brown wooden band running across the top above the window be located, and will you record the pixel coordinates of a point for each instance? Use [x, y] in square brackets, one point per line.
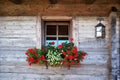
[63, 8]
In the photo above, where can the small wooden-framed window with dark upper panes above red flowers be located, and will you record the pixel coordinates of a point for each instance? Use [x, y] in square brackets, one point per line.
[58, 32]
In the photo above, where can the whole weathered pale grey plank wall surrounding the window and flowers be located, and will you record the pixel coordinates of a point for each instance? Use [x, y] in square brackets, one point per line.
[17, 34]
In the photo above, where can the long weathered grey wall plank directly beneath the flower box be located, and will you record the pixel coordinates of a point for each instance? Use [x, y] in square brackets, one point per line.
[95, 70]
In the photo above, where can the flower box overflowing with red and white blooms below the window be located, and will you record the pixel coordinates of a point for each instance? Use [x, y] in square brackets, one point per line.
[64, 54]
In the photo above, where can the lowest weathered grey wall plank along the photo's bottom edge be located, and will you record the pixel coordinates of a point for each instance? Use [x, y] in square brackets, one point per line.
[50, 77]
